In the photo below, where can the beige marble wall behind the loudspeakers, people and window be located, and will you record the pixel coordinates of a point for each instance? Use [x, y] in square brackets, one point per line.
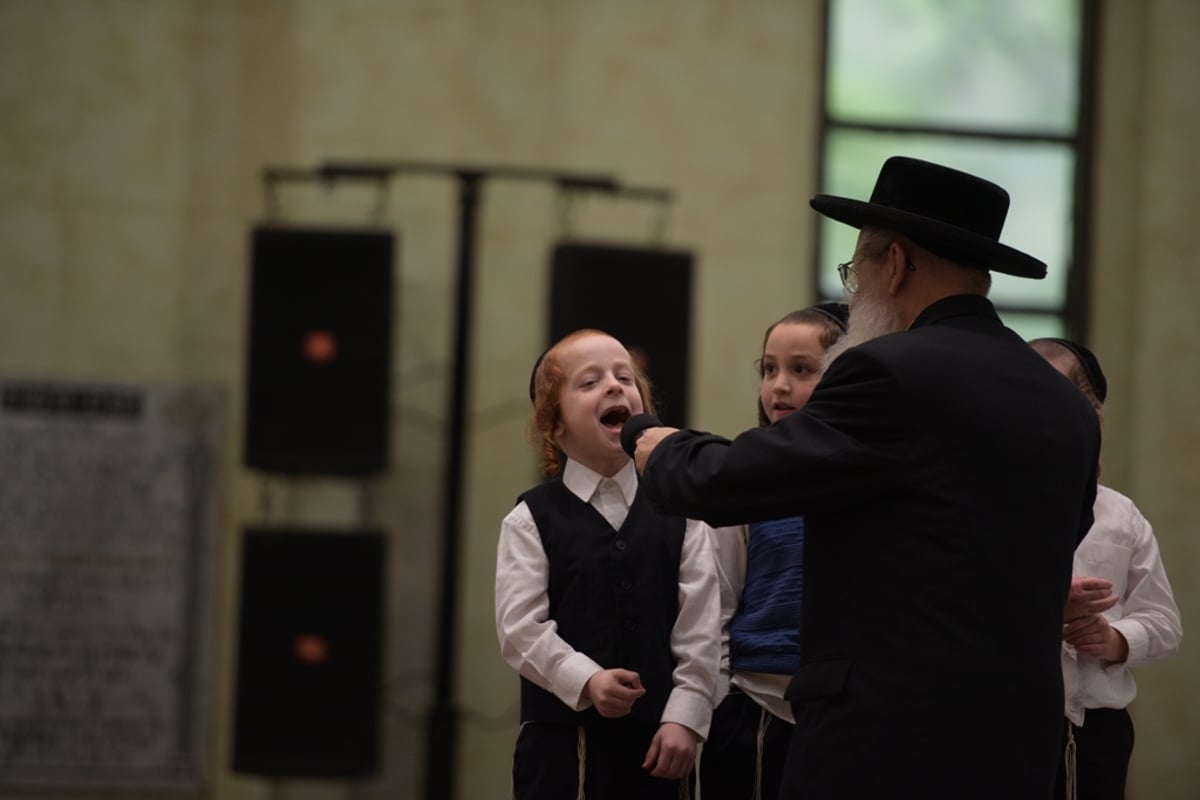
[133, 134]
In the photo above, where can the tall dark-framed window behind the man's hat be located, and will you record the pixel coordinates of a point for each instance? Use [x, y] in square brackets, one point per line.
[1003, 91]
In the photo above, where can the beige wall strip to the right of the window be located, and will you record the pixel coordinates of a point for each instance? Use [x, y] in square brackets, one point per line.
[1148, 334]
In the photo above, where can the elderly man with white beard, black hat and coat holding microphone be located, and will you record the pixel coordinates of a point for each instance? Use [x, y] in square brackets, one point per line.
[946, 476]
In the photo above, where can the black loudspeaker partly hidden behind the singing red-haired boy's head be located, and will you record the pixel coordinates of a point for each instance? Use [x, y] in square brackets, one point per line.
[640, 296]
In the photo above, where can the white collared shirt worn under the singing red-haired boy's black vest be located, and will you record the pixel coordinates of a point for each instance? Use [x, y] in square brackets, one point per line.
[530, 642]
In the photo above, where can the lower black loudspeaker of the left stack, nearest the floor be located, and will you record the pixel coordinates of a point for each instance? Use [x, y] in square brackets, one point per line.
[310, 654]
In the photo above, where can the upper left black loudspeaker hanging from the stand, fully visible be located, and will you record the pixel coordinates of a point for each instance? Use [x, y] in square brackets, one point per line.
[320, 351]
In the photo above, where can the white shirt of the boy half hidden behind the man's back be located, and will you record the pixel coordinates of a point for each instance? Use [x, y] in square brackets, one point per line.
[1121, 548]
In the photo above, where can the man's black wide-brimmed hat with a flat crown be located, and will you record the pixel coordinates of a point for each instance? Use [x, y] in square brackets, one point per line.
[950, 213]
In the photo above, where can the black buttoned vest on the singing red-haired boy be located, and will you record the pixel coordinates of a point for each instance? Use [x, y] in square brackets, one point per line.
[614, 596]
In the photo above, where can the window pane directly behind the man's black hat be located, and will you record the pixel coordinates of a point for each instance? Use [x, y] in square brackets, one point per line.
[1037, 177]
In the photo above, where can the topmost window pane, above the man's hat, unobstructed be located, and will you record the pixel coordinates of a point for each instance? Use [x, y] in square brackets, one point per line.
[1007, 65]
